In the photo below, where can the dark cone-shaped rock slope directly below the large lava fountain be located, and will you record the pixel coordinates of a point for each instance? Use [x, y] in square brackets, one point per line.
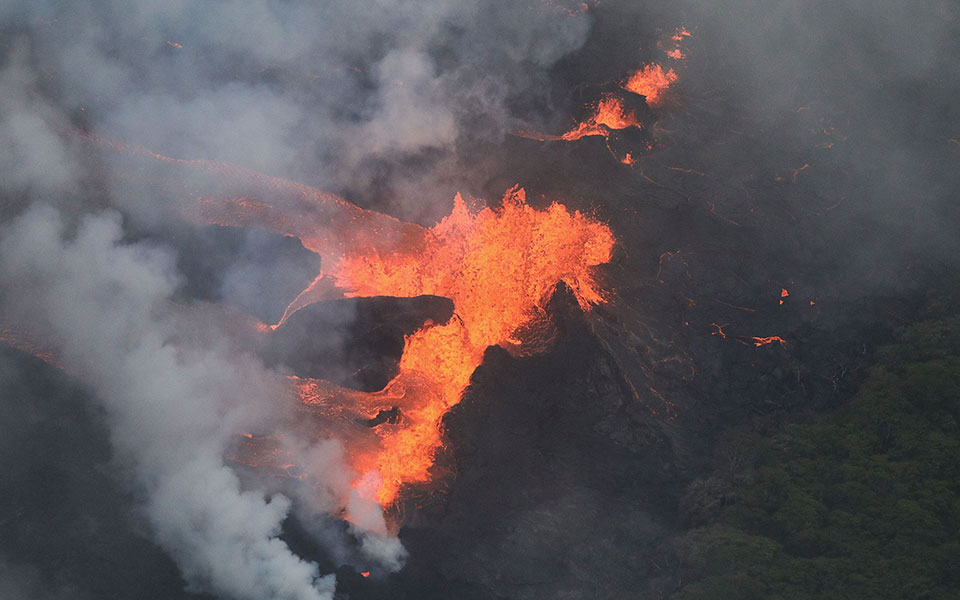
[561, 486]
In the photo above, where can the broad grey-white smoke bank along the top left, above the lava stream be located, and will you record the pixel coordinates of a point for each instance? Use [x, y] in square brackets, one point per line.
[316, 92]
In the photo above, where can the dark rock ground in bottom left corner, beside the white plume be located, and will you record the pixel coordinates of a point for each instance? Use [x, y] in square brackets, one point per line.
[68, 529]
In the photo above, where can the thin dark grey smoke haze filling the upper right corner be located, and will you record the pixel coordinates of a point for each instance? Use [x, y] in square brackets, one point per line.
[863, 93]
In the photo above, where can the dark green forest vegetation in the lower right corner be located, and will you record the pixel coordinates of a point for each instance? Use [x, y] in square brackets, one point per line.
[863, 503]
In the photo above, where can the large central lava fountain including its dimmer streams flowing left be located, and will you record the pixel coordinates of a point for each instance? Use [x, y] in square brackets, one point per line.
[499, 266]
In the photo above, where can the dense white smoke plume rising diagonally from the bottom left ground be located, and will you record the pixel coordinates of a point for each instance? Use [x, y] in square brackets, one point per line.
[100, 304]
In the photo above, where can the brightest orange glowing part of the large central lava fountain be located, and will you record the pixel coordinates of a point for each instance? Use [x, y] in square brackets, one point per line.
[499, 267]
